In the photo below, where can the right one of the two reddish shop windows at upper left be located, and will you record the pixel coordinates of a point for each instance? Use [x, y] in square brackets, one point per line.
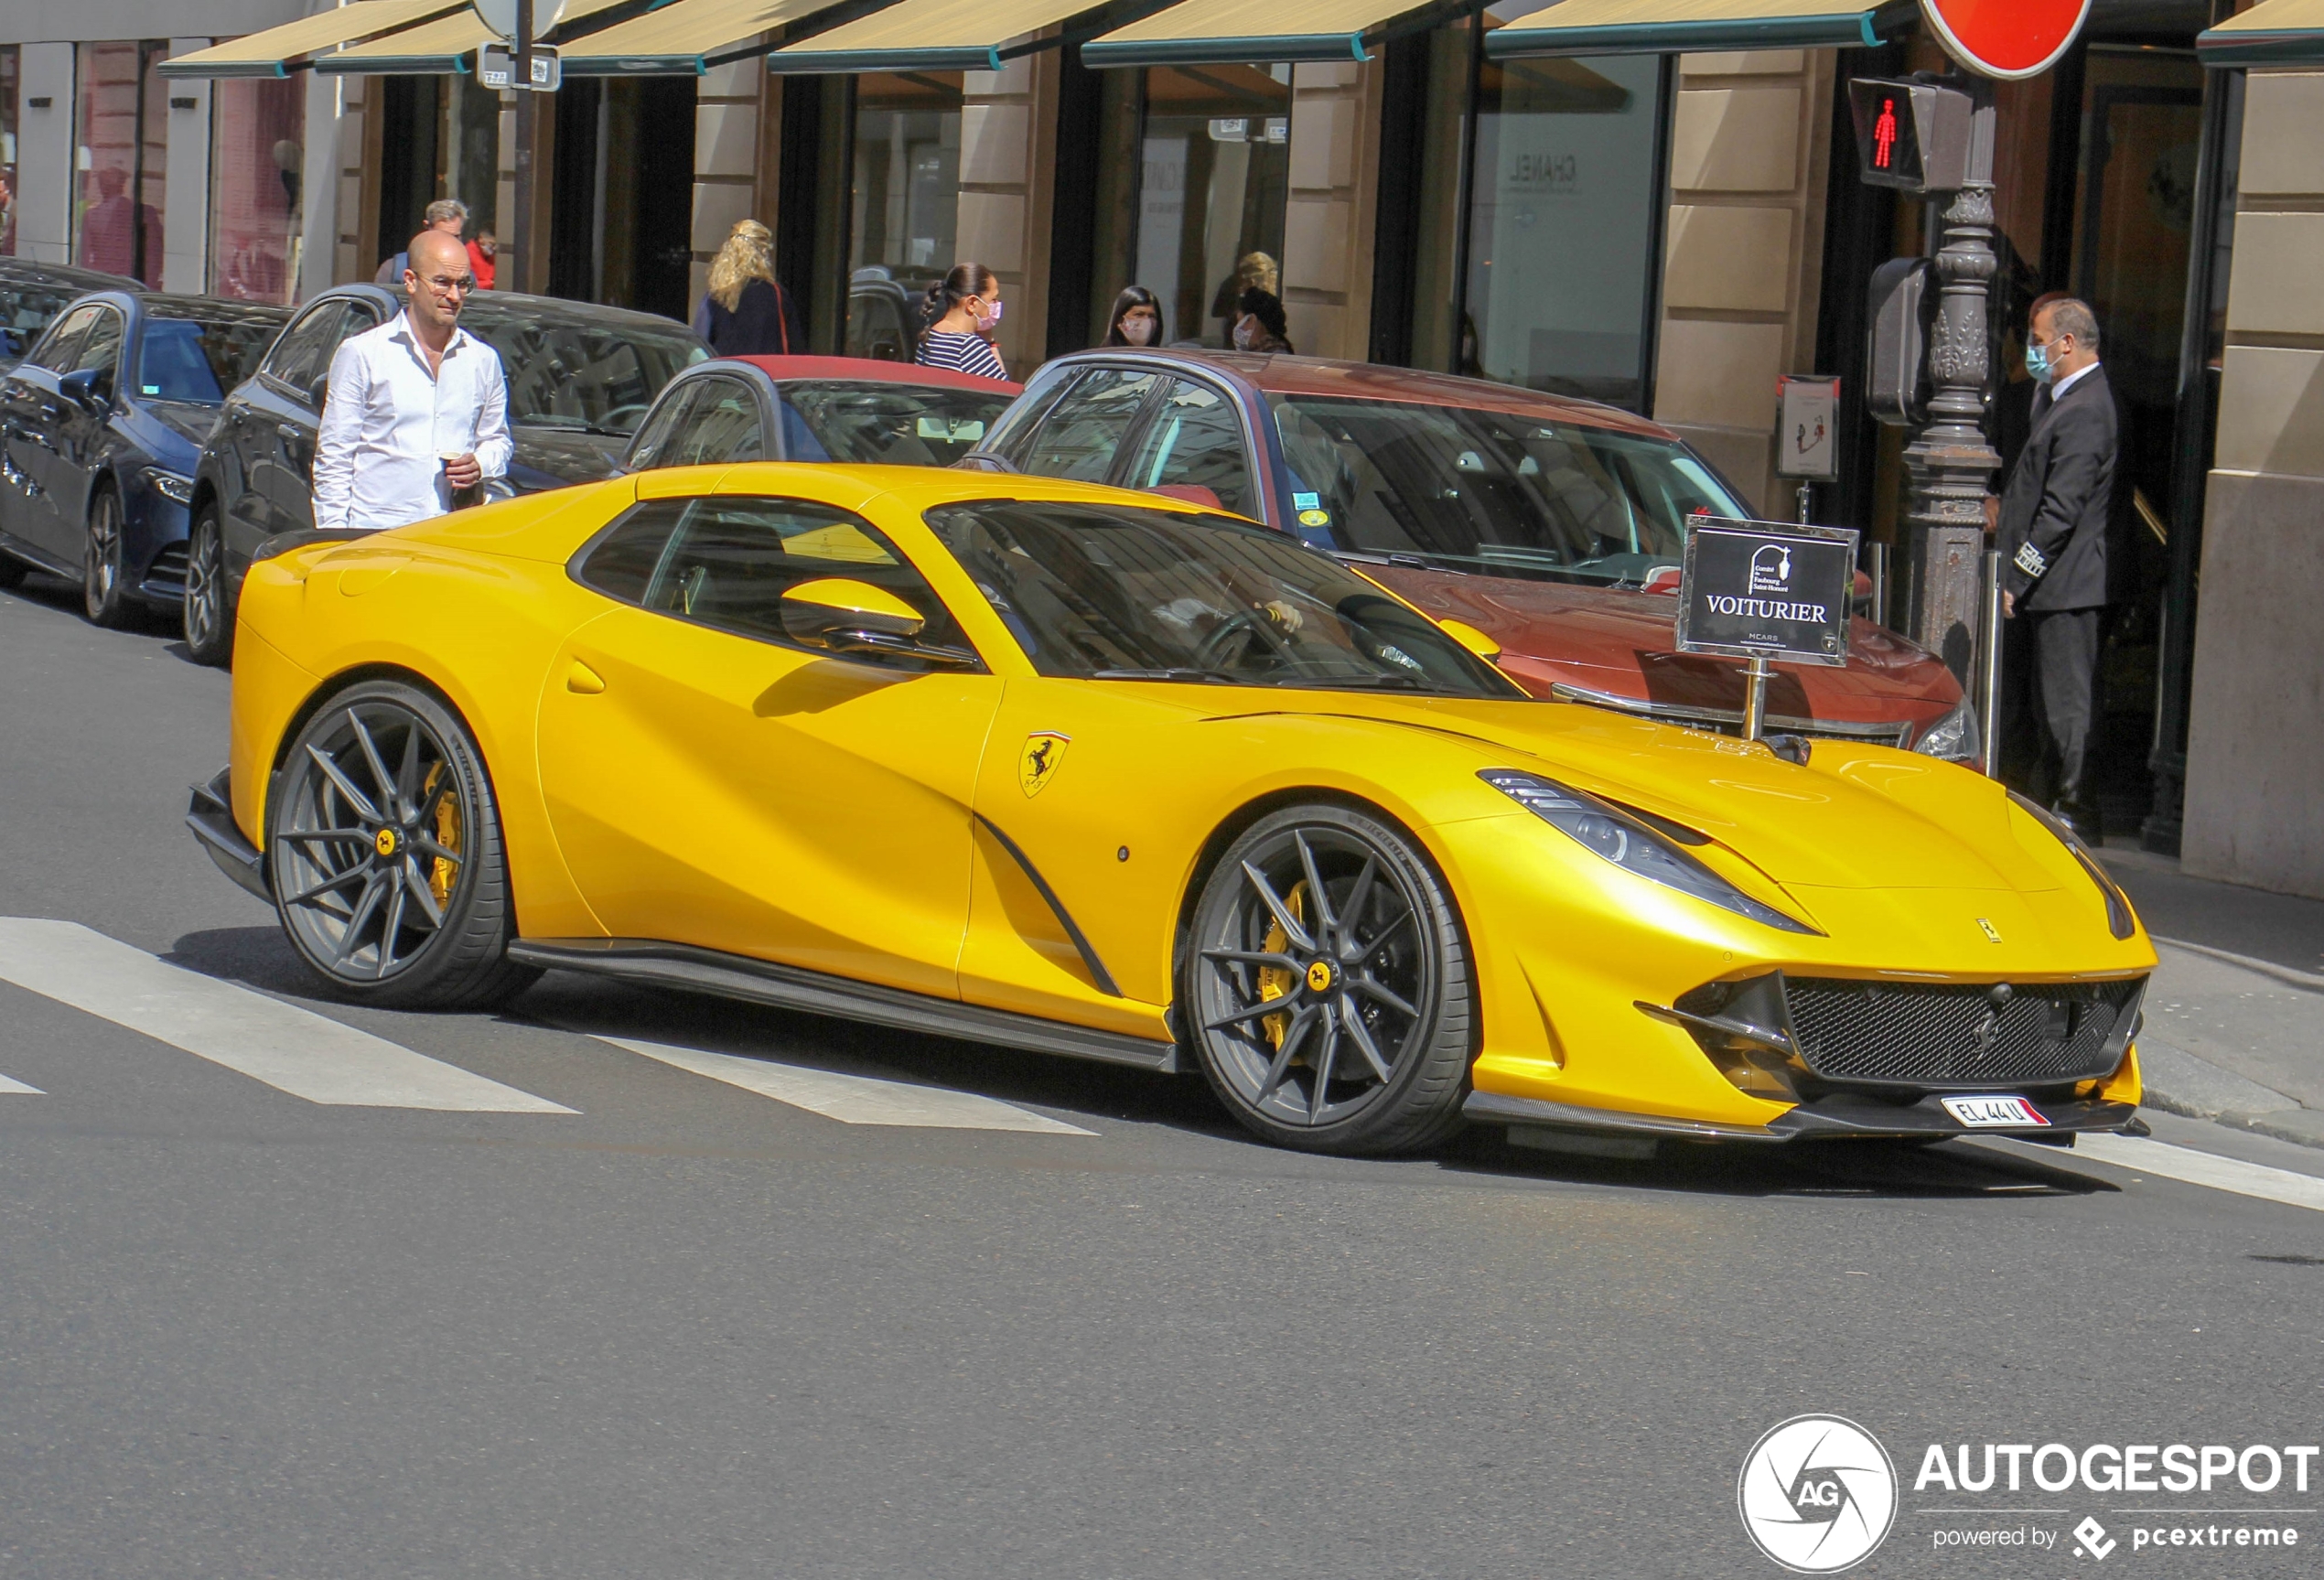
[257, 164]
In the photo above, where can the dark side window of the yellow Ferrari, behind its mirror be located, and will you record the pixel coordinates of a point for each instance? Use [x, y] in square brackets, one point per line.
[726, 563]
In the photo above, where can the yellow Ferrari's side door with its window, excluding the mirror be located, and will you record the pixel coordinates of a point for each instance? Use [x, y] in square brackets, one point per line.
[717, 784]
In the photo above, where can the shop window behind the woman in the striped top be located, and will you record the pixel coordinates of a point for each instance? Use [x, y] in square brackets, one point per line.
[905, 206]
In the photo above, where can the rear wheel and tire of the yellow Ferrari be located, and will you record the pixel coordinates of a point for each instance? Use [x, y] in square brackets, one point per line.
[387, 866]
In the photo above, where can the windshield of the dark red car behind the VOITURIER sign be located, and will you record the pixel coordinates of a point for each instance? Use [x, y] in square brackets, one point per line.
[1493, 491]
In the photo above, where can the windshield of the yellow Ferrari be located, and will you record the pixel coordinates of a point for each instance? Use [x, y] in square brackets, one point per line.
[1126, 594]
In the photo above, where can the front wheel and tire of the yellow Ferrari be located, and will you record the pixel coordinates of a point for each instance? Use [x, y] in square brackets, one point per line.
[1375, 1042]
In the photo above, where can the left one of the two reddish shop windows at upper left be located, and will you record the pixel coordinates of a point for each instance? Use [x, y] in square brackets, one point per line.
[122, 159]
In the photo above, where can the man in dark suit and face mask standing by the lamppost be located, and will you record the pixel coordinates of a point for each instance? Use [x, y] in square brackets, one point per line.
[2053, 533]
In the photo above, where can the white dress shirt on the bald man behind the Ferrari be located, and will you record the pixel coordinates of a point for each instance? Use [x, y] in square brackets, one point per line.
[389, 422]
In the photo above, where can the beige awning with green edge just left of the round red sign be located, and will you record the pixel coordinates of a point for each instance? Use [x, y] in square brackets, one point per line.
[1674, 27]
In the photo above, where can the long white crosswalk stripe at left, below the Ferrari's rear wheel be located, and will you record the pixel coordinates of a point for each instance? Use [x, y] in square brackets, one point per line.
[241, 1028]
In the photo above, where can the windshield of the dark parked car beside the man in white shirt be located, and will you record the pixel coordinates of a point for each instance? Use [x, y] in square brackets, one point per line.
[587, 378]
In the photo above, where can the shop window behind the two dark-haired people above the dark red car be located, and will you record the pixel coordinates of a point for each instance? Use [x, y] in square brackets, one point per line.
[1214, 178]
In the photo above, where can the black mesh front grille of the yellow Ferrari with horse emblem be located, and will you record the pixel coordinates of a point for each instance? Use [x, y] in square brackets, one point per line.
[1956, 1033]
